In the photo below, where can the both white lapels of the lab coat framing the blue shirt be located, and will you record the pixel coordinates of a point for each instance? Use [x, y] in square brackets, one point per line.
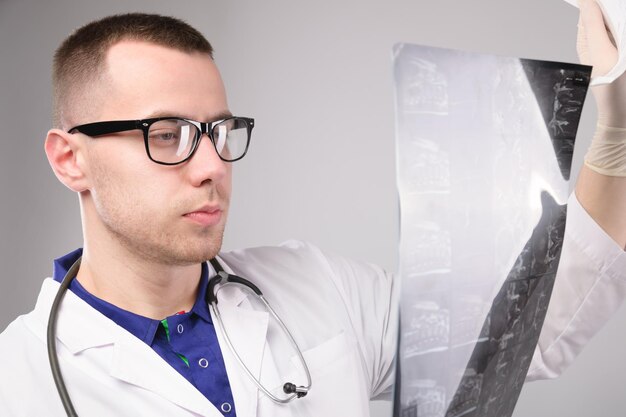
[80, 327]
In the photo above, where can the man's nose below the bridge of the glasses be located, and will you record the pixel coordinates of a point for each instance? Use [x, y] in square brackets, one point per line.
[205, 164]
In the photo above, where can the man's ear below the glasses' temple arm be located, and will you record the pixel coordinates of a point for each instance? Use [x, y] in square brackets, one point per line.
[65, 155]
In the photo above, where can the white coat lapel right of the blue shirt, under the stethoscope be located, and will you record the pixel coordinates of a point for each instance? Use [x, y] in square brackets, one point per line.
[247, 330]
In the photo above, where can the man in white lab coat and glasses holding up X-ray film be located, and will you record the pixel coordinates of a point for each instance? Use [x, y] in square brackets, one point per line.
[144, 135]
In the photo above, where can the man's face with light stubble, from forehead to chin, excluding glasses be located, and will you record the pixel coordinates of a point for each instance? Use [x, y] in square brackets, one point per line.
[176, 214]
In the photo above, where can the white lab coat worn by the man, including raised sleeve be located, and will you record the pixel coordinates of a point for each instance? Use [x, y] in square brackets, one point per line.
[343, 315]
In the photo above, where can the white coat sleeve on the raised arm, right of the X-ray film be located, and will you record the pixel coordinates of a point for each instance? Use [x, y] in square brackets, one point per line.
[590, 286]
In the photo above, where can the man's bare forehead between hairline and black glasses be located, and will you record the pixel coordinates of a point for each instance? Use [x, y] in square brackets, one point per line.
[146, 78]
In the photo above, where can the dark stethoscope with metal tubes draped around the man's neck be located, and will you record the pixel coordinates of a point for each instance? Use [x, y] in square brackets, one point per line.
[221, 277]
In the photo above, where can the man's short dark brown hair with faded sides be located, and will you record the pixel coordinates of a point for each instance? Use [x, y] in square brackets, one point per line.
[79, 60]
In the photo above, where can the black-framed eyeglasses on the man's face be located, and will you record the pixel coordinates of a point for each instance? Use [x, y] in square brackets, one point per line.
[173, 140]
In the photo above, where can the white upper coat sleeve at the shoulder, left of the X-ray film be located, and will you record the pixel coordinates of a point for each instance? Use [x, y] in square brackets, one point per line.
[370, 296]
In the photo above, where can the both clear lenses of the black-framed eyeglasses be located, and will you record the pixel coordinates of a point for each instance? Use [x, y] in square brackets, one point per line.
[172, 140]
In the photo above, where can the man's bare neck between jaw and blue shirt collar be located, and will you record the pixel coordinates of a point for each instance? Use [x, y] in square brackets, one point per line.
[142, 287]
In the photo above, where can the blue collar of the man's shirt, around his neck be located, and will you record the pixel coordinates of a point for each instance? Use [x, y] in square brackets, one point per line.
[141, 327]
